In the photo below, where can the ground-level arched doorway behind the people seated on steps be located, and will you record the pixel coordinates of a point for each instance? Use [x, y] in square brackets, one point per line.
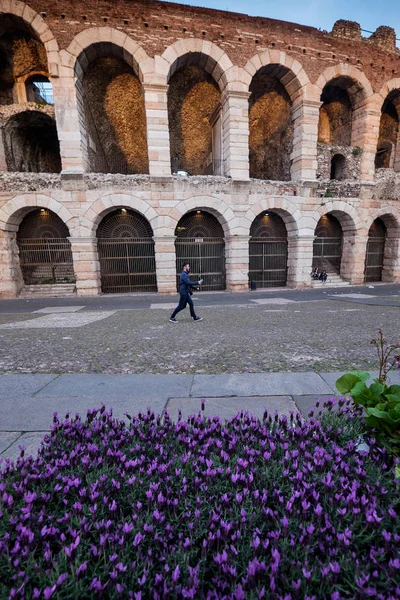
[328, 244]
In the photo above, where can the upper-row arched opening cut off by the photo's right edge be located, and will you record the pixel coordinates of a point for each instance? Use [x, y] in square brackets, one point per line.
[388, 142]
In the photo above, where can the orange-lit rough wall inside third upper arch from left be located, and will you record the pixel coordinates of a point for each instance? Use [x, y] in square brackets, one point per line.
[193, 96]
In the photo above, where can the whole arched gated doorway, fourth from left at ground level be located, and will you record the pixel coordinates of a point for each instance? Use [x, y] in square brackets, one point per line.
[268, 251]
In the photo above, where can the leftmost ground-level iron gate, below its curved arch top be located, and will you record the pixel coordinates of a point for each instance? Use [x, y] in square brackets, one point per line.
[46, 261]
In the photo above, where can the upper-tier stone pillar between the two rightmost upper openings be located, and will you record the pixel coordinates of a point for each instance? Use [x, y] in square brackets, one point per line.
[365, 134]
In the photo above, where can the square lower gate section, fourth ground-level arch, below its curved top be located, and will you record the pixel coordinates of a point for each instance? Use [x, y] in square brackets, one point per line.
[268, 261]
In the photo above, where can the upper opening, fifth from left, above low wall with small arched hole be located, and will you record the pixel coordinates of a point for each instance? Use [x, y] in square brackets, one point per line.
[336, 113]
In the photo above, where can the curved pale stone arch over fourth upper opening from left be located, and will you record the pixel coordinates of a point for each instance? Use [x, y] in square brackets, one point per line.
[289, 71]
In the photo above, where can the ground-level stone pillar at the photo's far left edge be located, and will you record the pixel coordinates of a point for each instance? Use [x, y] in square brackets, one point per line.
[11, 280]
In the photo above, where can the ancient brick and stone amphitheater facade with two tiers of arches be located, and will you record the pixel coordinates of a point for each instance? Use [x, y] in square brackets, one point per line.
[162, 111]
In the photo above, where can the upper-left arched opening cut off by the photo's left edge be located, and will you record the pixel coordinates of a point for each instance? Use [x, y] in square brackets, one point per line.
[21, 53]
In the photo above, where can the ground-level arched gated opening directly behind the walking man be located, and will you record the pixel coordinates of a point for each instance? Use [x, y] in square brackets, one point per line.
[200, 241]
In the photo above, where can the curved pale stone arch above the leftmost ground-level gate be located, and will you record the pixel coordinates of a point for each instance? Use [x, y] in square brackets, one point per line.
[14, 210]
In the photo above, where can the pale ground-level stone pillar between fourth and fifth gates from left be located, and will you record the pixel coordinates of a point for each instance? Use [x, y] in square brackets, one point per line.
[300, 257]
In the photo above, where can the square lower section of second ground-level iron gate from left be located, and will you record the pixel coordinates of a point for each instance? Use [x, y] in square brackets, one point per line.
[127, 265]
